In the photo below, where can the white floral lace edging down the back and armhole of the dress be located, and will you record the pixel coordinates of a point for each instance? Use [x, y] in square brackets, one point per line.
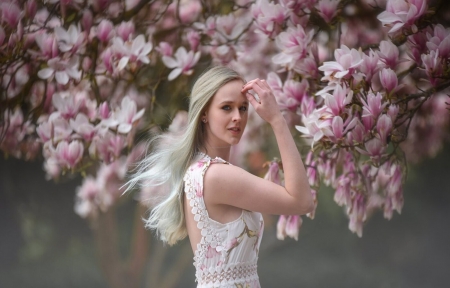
[192, 181]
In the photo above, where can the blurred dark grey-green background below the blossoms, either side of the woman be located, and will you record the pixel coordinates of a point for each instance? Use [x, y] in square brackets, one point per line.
[45, 244]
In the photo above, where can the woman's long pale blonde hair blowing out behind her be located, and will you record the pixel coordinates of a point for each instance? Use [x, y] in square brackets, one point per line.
[166, 165]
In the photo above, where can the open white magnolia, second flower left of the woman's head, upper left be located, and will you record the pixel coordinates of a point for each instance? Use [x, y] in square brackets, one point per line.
[132, 51]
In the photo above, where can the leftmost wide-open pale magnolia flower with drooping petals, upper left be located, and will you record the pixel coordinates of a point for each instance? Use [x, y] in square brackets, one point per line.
[63, 69]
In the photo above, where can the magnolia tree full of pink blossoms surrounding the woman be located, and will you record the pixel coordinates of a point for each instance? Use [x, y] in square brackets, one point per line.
[364, 82]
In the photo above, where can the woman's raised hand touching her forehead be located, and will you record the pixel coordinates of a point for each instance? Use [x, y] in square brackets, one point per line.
[267, 107]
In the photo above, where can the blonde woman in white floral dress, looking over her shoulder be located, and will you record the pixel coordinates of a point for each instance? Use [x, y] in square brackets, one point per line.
[219, 205]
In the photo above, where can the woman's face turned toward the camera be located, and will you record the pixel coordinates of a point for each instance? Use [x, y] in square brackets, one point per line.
[226, 115]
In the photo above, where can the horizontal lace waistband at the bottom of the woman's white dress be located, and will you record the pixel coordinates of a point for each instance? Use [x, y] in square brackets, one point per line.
[230, 275]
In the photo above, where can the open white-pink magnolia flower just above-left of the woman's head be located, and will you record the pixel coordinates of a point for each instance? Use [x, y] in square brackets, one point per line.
[183, 62]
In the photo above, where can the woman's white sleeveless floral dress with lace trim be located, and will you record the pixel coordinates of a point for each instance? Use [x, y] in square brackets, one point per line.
[227, 253]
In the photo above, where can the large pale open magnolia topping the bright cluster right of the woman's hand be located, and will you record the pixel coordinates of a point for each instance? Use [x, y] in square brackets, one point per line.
[347, 60]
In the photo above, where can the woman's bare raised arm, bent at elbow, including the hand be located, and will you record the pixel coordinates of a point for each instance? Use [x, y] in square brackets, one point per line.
[235, 187]
